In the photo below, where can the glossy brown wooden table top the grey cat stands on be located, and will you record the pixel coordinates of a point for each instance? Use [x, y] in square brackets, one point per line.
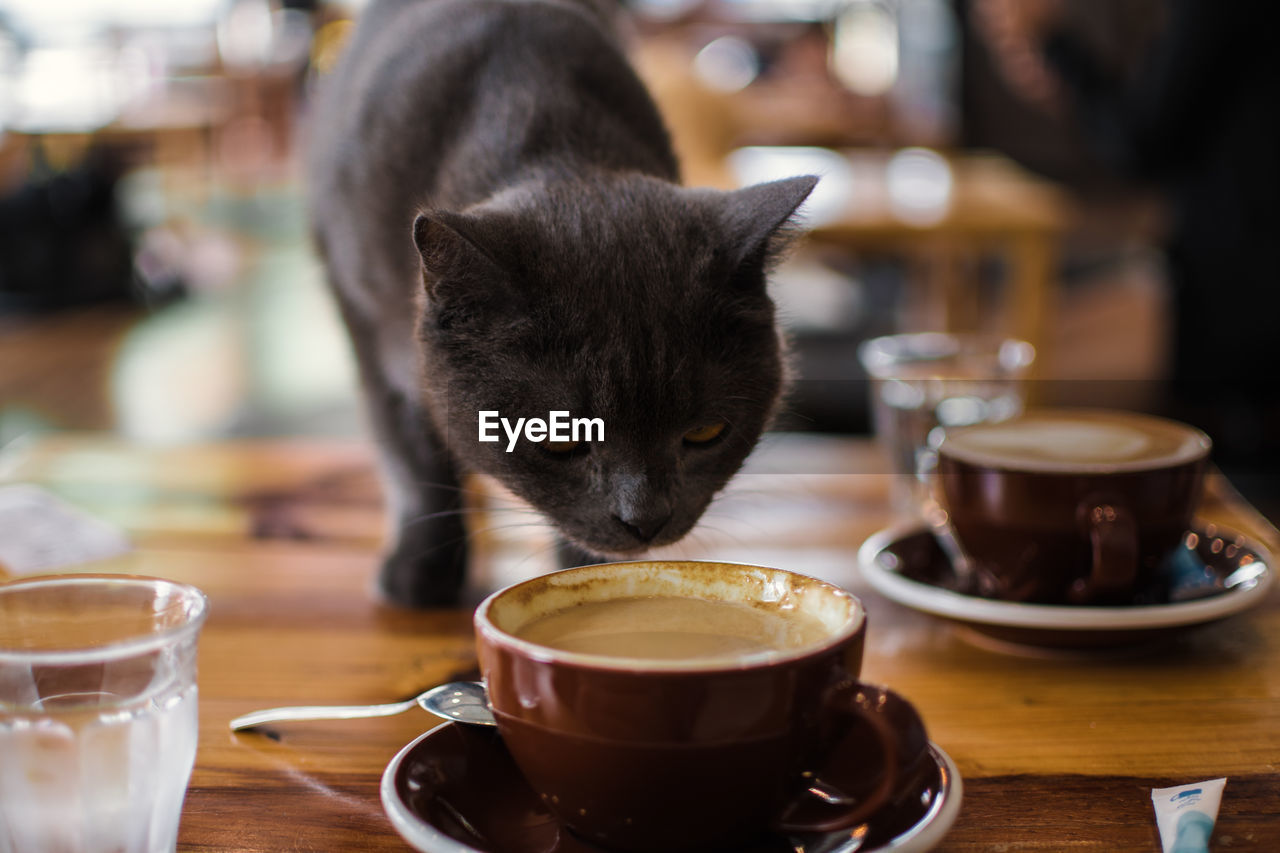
[1058, 752]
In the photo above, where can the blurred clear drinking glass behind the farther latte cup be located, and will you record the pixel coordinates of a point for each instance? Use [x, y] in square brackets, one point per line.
[924, 384]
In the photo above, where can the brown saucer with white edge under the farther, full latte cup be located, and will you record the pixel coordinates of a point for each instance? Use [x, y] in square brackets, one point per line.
[1213, 574]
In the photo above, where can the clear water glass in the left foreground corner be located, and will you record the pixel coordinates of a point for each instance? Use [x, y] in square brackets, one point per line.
[98, 713]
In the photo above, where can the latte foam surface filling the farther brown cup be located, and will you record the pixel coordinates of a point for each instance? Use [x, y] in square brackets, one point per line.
[1077, 441]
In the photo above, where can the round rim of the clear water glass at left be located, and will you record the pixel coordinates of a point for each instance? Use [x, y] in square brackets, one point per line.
[196, 610]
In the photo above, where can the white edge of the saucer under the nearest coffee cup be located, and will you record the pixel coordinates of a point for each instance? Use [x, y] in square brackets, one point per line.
[925, 836]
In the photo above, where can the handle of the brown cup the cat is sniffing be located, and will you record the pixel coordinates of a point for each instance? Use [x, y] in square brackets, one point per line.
[866, 720]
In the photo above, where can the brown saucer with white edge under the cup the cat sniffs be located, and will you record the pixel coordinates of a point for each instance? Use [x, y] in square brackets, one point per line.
[455, 790]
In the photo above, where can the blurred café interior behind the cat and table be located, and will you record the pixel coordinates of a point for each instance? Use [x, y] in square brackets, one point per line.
[1094, 176]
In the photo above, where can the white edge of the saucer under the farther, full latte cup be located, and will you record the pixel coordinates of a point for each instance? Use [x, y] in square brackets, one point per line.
[988, 612]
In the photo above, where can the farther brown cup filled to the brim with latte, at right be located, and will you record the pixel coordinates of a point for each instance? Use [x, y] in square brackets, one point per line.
[1071, 507]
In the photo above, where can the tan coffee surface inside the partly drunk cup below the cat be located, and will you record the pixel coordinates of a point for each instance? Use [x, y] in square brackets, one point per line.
[673, 628]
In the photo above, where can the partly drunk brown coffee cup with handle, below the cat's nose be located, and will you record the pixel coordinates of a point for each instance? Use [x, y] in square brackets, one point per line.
[697, 751]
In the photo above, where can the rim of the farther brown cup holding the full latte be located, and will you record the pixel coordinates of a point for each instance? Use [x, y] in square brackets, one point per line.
[1197, 448]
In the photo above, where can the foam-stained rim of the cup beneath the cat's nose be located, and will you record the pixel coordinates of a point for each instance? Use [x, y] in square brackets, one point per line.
[486, 627]
